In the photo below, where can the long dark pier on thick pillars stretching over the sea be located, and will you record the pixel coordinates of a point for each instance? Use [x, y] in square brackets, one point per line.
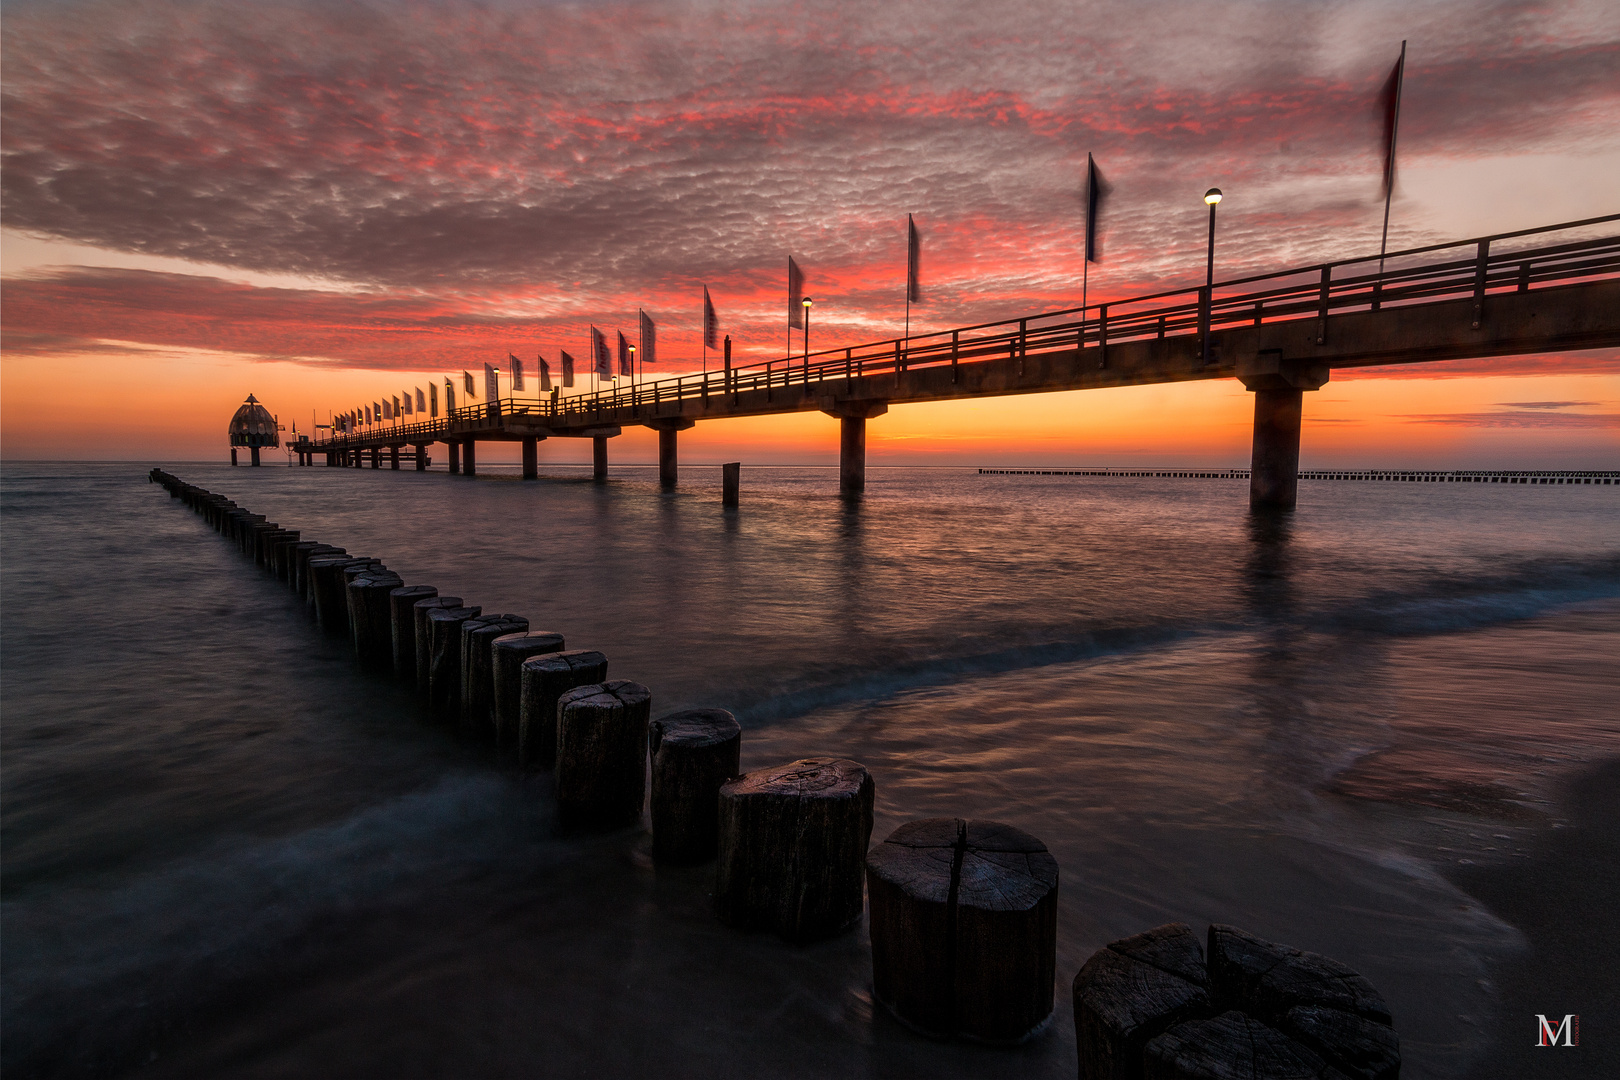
[1281, 334]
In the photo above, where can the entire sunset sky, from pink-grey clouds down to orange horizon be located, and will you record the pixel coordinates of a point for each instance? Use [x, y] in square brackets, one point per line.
[325, 203]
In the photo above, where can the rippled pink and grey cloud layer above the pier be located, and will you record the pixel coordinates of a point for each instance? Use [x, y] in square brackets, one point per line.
[490, 168]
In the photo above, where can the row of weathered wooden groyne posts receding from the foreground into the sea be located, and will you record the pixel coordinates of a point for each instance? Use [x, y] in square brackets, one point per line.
[963, 914]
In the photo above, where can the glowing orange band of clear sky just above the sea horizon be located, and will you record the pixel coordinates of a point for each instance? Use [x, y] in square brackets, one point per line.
[177, 412]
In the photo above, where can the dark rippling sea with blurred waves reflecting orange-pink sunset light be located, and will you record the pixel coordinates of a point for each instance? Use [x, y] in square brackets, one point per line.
[228, 853]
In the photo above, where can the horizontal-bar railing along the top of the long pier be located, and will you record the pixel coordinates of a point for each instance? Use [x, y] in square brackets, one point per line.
[1418, 276]
